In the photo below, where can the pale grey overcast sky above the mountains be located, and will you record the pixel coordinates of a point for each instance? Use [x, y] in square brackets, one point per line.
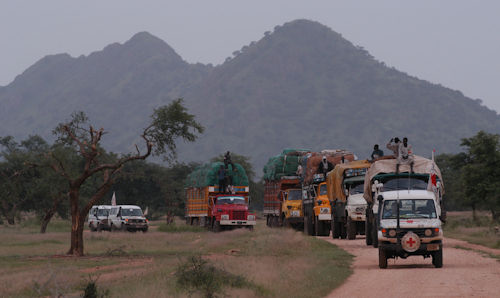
[450, 42]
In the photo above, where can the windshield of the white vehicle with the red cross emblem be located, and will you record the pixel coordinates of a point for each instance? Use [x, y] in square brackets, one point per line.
[409, 209]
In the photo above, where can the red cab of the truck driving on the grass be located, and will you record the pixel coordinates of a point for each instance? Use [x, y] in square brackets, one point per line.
[231, 211]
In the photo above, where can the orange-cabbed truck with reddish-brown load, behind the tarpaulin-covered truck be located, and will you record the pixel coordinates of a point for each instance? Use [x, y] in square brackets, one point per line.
[315, 202]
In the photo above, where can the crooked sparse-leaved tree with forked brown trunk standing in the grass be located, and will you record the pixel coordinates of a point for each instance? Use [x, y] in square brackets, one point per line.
[168, 123]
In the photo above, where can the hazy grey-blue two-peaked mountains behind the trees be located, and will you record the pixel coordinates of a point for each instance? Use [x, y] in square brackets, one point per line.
[302, 85]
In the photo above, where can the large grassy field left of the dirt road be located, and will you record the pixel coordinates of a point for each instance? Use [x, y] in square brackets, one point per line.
[272, 262]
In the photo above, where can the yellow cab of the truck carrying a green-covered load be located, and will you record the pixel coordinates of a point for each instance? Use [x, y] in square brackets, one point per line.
[291, 207]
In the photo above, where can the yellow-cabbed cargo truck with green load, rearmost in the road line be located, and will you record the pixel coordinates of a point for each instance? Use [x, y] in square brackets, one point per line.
[282, 189]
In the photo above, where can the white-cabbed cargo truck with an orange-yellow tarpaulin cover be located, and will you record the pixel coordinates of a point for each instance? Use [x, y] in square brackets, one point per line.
[345, 193]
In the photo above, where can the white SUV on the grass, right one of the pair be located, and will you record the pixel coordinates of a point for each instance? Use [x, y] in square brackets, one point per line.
[127, 218]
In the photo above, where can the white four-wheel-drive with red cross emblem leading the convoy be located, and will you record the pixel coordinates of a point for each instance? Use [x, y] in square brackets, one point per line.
[410, 225]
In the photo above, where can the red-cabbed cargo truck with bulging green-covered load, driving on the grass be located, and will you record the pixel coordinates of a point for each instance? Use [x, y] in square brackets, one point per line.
[216, 209]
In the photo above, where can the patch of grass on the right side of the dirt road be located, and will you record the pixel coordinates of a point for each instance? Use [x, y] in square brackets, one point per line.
[460, 225]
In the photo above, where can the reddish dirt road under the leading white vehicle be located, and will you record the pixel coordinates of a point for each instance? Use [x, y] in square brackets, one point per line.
[465, 273]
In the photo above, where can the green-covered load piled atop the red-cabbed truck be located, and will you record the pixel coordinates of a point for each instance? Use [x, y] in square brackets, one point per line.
[206, 175]
